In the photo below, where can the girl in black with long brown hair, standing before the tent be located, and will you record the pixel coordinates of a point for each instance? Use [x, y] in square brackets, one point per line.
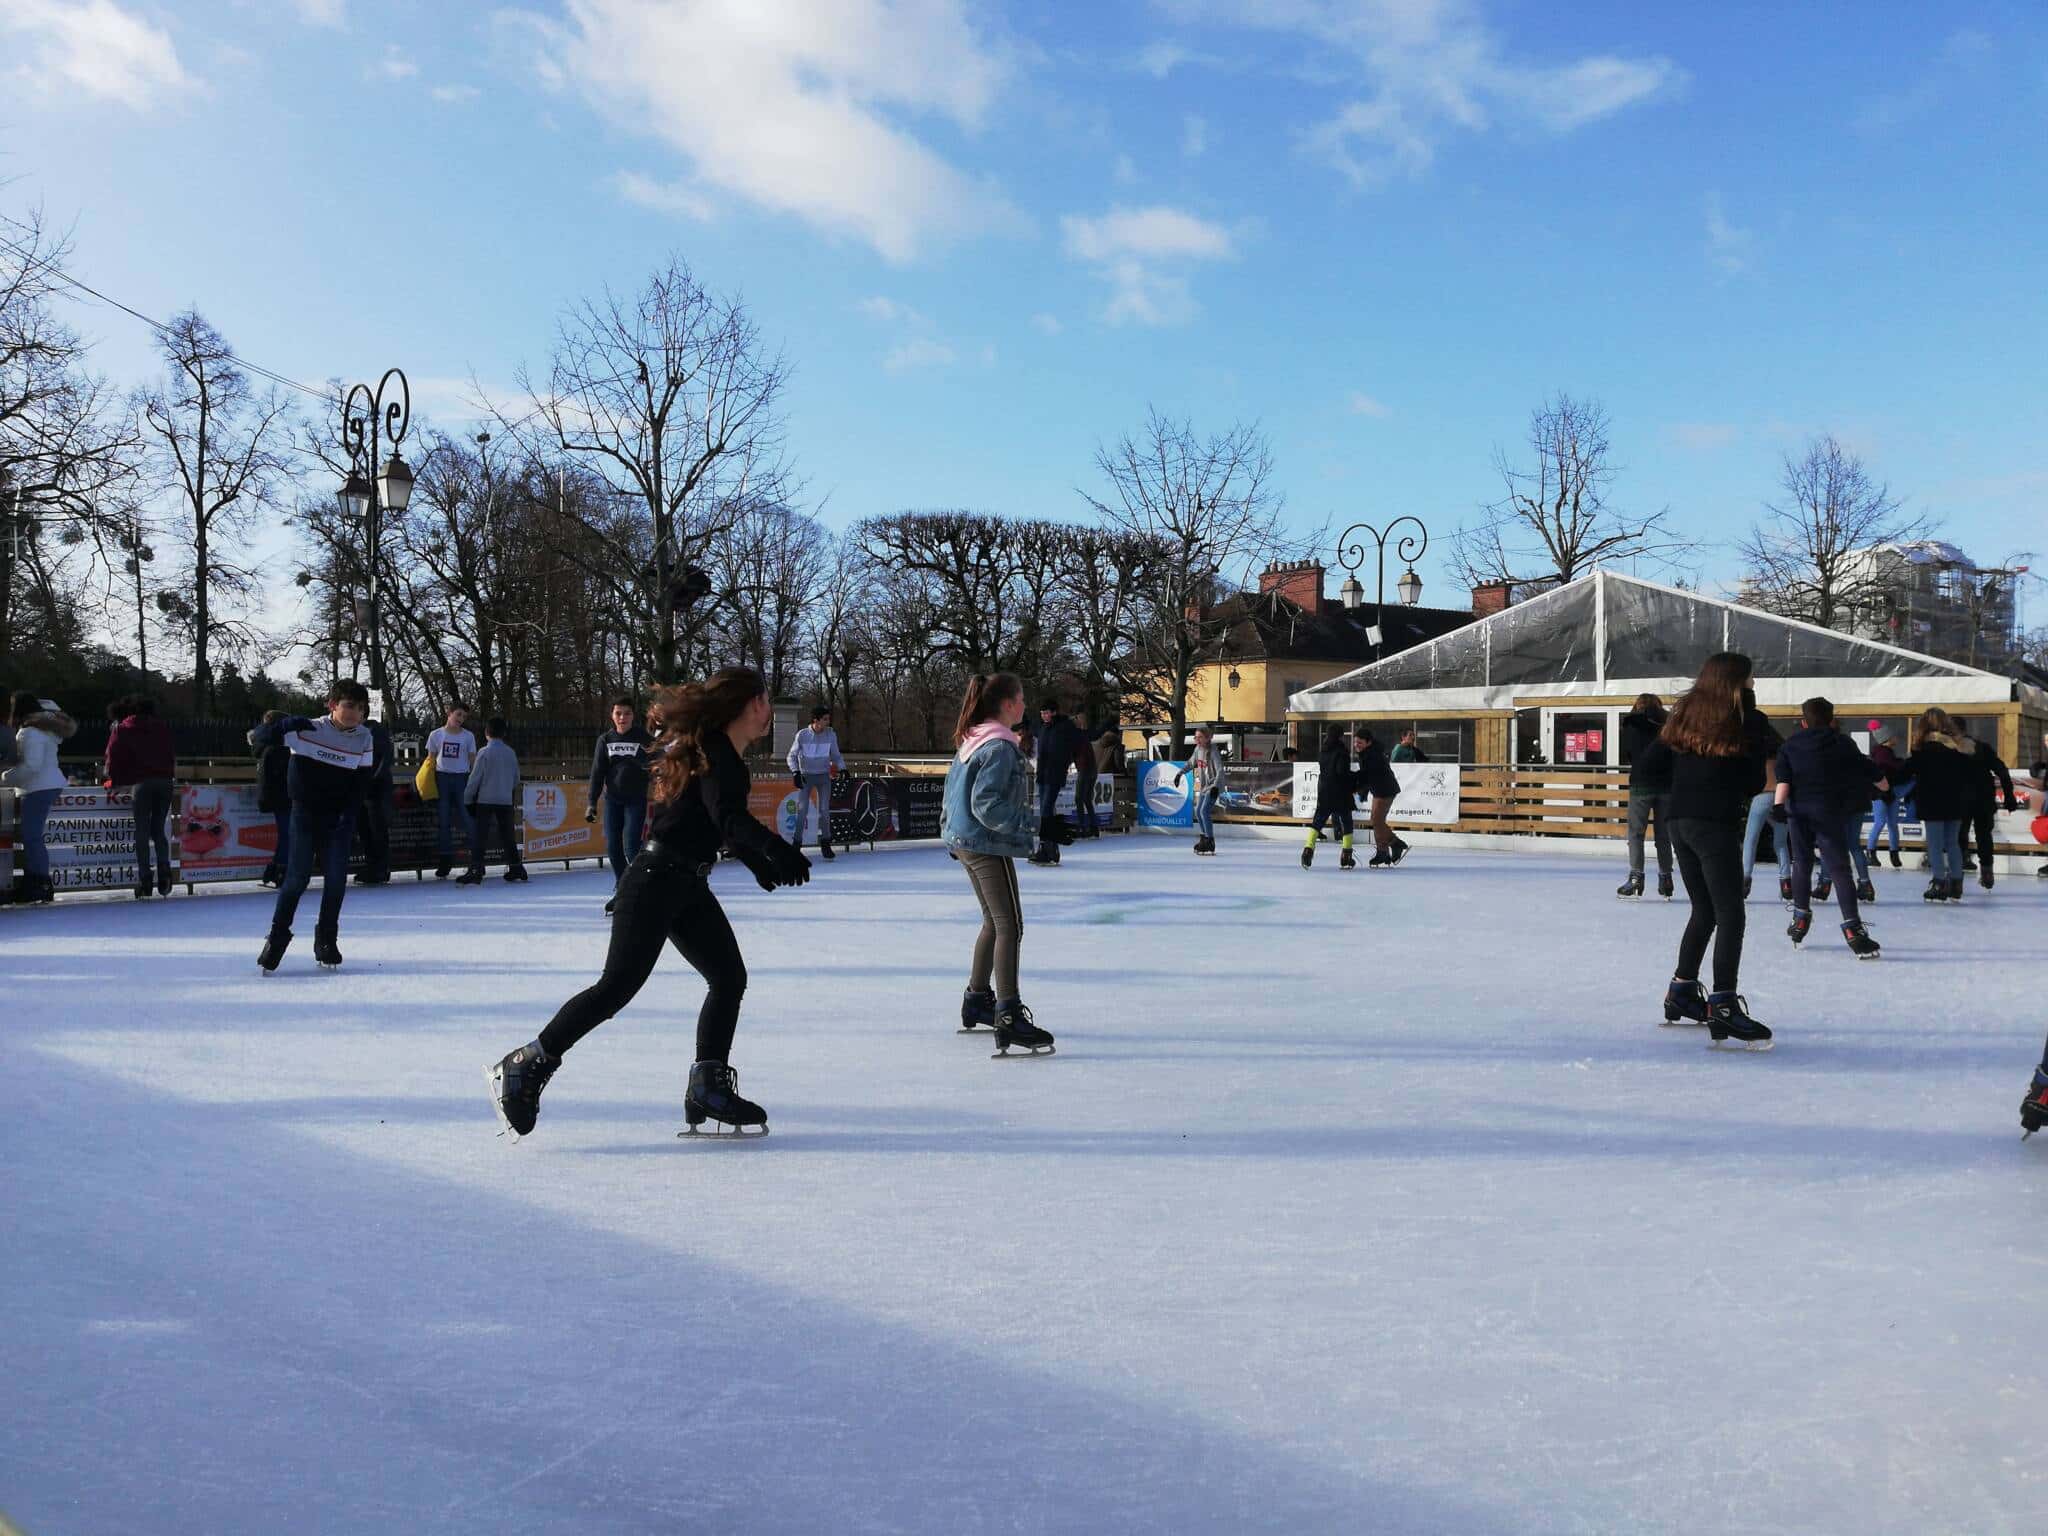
[1717, 742]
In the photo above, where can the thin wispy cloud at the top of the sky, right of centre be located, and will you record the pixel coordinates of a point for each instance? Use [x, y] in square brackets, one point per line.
[1433, 69]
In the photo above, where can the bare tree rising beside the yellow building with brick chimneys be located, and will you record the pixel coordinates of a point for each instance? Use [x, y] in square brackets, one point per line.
[1209, 509]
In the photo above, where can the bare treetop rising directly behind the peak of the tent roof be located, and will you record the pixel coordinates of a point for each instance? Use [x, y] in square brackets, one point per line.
[1555, 519]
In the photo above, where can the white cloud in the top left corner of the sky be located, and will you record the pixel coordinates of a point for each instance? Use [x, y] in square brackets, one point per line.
[91, 48]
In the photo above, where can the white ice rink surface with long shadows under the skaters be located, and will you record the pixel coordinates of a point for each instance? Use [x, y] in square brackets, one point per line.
[1351, 1203]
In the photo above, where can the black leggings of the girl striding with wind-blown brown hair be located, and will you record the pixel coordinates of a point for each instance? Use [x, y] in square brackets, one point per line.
[660, 900]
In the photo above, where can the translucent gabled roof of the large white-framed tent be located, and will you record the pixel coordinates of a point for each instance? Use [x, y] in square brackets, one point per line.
[1611, 634]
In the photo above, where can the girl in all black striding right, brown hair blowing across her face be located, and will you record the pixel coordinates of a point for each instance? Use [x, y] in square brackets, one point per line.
[697, 806]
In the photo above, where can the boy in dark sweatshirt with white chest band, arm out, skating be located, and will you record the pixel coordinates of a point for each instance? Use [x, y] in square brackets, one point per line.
[331, 769]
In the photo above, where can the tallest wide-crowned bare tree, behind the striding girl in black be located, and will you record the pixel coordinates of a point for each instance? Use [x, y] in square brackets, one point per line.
[675, 404]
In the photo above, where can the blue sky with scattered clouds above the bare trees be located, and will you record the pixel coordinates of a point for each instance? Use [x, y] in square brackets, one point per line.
[992, 234]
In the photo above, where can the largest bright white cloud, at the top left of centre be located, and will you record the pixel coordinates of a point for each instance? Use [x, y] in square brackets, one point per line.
[794, 105]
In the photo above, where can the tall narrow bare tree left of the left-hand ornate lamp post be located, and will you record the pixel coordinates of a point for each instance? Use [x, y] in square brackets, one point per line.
[220, 452]
